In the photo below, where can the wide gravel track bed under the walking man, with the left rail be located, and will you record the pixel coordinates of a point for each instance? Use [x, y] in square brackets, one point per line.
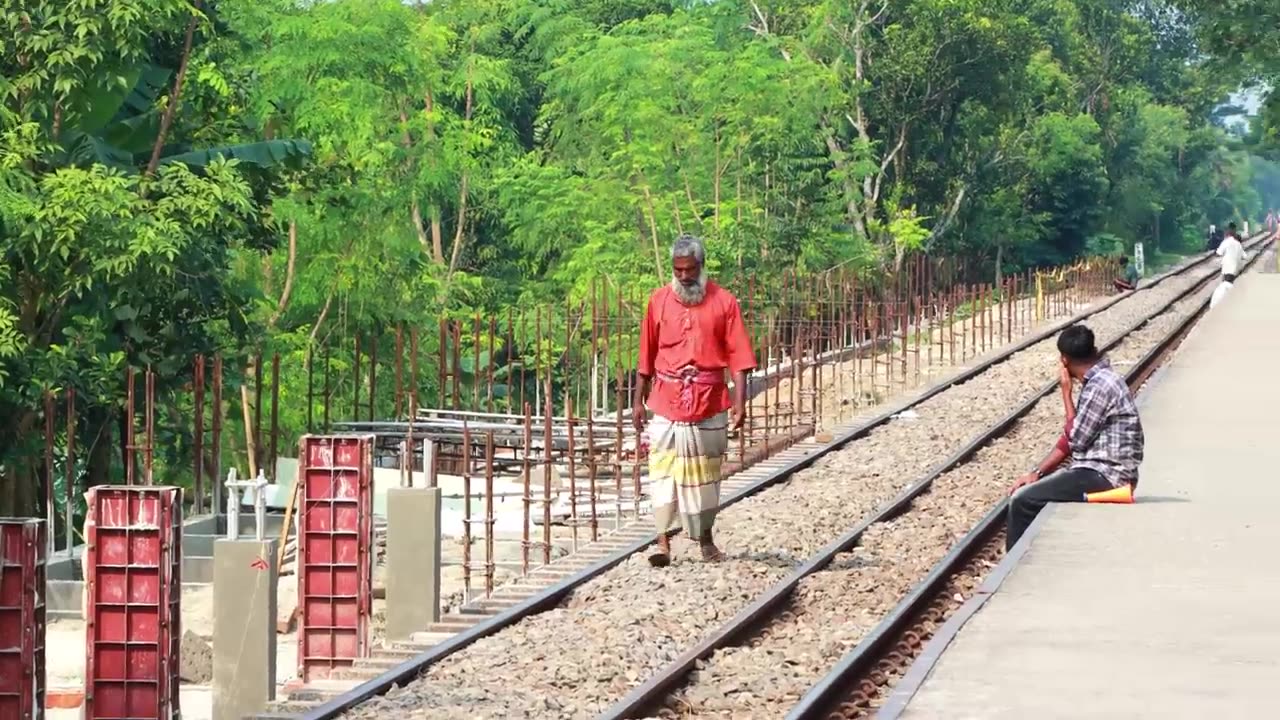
[559, 659]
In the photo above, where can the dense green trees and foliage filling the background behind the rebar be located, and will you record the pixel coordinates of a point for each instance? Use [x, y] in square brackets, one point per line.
[241, 176]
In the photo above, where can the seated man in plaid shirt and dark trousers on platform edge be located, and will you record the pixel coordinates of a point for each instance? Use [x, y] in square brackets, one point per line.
[1105, 441]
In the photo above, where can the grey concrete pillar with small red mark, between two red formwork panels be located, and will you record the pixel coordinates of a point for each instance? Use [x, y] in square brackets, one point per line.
[245, 582]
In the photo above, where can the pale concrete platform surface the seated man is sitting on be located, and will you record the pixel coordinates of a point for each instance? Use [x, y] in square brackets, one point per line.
[1162, 609]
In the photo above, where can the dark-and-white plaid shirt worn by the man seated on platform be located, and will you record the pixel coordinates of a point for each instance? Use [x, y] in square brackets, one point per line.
[1108, 434]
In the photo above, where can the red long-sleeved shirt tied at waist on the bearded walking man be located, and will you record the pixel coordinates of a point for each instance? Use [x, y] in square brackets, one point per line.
[710, 336]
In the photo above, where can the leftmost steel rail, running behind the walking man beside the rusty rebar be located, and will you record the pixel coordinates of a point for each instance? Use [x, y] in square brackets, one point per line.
[546, 600]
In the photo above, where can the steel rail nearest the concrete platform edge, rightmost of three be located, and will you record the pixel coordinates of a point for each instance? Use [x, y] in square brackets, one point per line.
[824, 696]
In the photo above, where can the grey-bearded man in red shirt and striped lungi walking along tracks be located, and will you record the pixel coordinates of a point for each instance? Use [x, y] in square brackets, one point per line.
[693, 332]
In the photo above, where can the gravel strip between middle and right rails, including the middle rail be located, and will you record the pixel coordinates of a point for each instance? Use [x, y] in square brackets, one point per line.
[764, 660]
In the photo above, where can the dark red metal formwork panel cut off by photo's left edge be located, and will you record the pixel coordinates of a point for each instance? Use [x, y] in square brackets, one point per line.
[22, 618]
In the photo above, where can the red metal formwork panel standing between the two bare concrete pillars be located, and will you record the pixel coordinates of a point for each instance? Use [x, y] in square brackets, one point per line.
[336, 564]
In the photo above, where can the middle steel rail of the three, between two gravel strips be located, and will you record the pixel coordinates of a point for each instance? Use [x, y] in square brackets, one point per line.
[647, 696]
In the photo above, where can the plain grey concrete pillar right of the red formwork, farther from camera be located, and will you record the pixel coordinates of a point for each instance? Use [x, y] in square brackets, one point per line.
[413, 560]
